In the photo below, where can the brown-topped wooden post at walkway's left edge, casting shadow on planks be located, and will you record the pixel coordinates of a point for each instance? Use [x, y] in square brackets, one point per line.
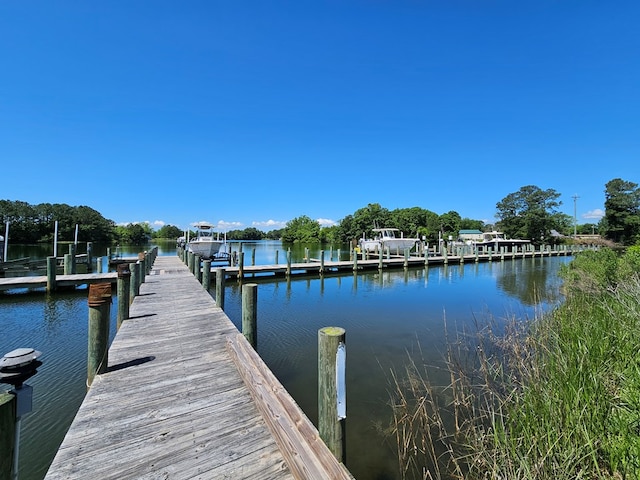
[99, 315]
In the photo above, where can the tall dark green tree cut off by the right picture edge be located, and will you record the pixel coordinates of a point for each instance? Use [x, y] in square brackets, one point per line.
[621, 221]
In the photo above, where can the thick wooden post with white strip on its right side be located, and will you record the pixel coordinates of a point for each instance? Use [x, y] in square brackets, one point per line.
[332, 390]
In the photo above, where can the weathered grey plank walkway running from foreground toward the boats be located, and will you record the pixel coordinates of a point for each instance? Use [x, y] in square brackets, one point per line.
[173, 403]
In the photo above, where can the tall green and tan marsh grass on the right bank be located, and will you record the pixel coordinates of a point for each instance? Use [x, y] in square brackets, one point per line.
[557, 397]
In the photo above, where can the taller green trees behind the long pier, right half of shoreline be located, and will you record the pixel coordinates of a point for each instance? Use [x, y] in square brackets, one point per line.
[531, 213]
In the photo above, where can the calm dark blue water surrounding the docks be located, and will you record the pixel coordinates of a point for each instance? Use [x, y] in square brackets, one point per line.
[387, 317]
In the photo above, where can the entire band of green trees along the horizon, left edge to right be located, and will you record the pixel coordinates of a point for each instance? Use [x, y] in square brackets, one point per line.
[530, 213]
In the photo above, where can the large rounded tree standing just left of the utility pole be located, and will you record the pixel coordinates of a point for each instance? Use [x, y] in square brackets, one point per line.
[530, 213]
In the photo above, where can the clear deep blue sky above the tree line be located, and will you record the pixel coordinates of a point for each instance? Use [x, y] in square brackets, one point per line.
[253, 113]
